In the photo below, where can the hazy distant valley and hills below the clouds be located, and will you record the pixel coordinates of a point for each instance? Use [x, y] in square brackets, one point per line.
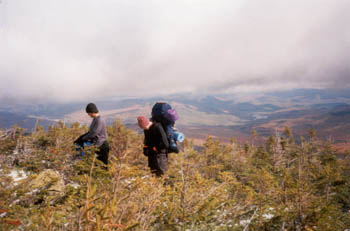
[222, 116]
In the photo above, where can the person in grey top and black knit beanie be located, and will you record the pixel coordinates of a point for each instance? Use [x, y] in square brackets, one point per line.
[97, 134]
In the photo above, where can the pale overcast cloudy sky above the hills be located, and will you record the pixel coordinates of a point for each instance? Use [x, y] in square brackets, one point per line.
[72, 50]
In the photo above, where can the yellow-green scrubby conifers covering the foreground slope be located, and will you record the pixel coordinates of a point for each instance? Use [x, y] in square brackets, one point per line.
[280, 185]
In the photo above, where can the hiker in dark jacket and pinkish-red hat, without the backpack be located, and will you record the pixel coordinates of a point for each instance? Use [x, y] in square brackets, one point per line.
[155, 145]
